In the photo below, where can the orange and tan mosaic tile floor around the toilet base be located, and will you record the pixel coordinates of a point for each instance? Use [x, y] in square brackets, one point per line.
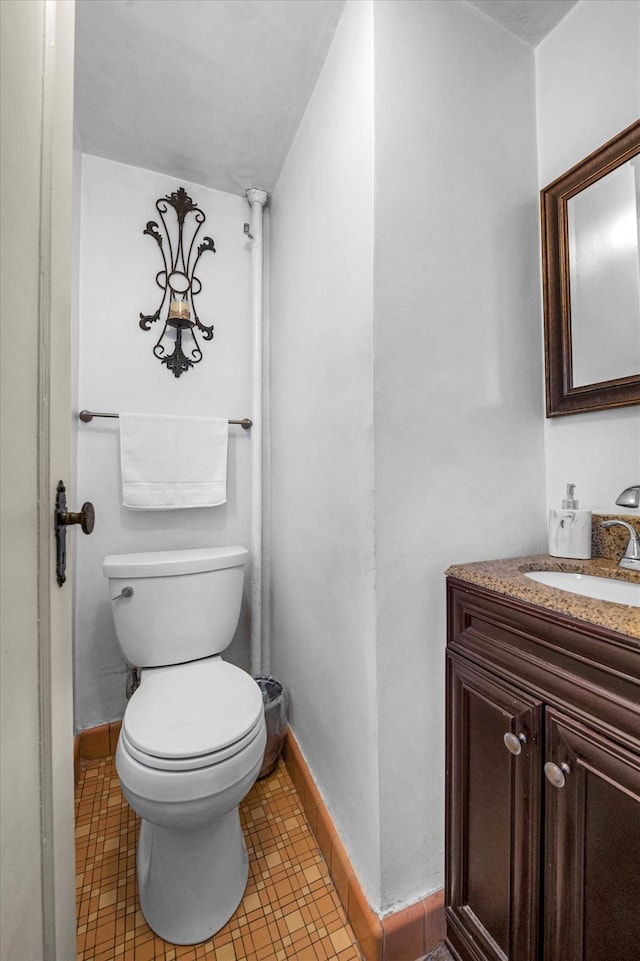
[290, 907]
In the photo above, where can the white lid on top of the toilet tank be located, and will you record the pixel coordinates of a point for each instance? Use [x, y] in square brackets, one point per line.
[166, 563]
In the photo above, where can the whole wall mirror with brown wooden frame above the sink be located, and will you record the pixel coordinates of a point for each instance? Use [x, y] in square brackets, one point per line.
[591, 280]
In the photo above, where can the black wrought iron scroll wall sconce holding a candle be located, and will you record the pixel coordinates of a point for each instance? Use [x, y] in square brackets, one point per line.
[177, 346]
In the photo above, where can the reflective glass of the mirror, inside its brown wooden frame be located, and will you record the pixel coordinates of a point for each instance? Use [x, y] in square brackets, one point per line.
[604, 277]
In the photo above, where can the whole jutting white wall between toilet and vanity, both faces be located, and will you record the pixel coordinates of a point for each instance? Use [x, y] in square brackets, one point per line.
[373, 498]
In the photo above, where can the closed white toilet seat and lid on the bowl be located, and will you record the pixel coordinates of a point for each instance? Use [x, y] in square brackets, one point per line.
[192, 715]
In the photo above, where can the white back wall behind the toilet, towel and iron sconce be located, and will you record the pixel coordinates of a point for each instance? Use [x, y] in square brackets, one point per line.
[118, 372]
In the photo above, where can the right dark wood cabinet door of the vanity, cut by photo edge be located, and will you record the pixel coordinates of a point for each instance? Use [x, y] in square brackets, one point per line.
[592, 845]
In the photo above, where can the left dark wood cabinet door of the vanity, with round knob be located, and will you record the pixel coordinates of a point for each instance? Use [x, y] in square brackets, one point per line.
[493, 816]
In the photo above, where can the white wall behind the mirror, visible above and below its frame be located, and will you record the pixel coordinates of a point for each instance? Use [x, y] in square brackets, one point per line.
[588, 90]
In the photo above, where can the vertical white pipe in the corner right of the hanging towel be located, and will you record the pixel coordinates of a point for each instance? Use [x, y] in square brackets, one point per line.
[257, 200]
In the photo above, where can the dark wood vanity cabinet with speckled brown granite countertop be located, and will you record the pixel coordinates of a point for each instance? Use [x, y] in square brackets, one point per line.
[543, 768]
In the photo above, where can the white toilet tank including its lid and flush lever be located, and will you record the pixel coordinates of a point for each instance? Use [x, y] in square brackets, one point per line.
[179, 606]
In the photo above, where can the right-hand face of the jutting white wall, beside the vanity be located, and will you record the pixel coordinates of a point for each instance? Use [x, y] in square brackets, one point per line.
[458, 374]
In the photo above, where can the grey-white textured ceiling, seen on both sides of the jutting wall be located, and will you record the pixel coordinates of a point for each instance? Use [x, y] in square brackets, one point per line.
[212, 91]
